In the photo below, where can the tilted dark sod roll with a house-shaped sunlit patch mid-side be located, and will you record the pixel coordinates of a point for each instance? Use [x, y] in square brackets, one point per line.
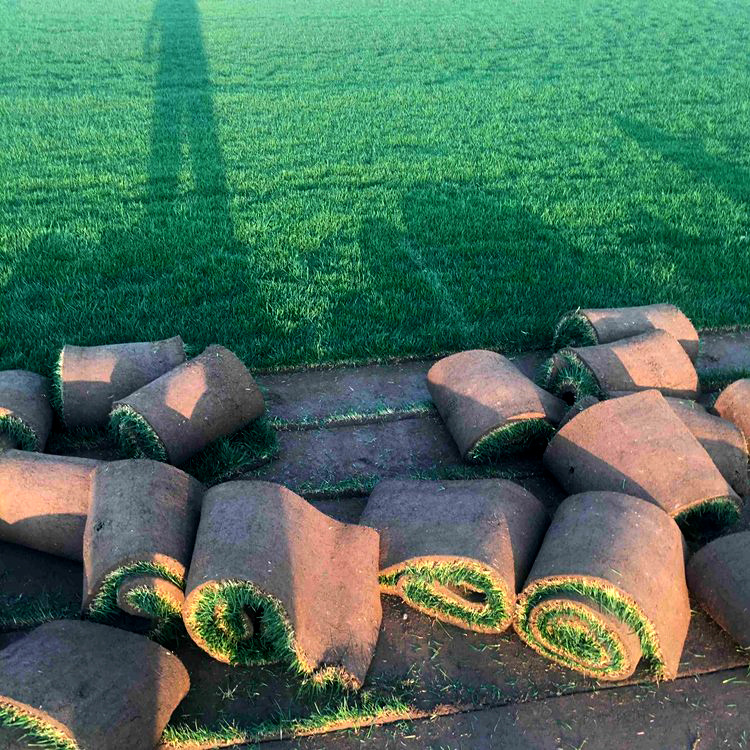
[180, 413]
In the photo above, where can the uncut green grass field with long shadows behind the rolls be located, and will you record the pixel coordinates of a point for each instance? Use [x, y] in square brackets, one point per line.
[333, 180]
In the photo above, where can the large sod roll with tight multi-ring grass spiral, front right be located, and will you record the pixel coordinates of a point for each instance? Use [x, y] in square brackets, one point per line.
[608, 589]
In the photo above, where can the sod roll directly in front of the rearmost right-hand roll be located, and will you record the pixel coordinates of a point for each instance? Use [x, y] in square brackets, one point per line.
[650, 360]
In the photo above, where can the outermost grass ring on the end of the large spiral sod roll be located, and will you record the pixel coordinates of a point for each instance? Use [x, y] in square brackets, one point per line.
[605, 595]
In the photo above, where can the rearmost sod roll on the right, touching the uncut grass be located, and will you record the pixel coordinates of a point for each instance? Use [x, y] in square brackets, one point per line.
[603, 326]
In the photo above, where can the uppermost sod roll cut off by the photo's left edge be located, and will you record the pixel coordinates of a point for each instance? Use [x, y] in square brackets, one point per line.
[25, 410]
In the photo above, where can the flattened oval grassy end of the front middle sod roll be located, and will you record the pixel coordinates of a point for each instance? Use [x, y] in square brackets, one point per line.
[418, 591]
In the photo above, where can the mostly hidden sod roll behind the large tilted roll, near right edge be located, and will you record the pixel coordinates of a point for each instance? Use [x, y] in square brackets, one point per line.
[724, 442]
